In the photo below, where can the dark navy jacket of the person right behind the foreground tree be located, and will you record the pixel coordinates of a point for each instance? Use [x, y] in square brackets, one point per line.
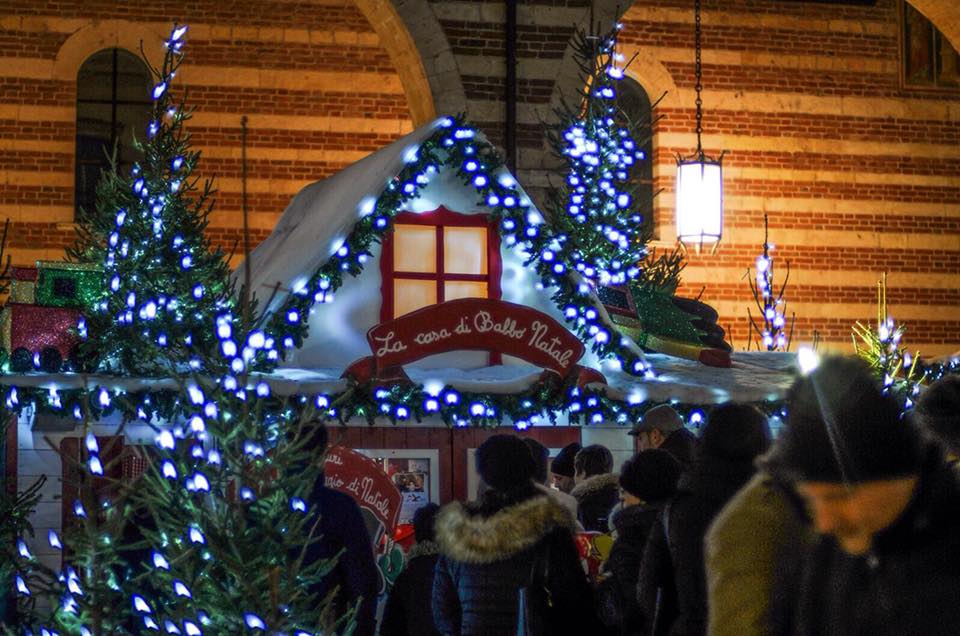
[355, 574]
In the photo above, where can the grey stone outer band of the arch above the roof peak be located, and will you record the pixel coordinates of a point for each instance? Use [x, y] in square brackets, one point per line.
[435, 56]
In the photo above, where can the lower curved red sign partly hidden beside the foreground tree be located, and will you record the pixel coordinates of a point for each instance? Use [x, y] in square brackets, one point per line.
[359, 477]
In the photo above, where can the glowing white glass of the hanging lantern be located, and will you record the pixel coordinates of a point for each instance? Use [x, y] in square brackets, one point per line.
[699, 202]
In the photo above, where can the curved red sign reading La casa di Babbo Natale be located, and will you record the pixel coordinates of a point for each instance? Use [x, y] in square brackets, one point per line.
[475, 324]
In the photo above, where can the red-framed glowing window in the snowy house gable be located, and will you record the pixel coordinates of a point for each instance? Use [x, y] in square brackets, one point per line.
[438, 256]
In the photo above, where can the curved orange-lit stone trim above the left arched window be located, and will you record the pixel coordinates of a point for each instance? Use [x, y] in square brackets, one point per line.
[107, 34]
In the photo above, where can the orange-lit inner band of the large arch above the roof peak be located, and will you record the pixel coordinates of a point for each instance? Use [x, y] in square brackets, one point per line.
[401, 46]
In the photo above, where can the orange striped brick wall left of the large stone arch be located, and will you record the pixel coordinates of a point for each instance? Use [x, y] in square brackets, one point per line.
[318, 86]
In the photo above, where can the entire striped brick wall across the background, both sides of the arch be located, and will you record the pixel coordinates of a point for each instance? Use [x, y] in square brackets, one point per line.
[857, 174]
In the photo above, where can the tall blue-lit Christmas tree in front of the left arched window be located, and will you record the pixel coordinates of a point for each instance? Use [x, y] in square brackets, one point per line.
[163, 281]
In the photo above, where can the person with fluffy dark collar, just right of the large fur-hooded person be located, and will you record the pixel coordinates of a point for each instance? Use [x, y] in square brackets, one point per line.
[597, 490]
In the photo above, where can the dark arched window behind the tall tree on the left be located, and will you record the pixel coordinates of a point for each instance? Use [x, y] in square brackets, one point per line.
[113, 105]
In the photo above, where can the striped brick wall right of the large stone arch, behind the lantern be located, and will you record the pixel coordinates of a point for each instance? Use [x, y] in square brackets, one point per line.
[857, 174]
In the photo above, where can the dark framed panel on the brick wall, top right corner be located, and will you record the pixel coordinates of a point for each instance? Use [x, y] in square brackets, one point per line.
[928, 61]
